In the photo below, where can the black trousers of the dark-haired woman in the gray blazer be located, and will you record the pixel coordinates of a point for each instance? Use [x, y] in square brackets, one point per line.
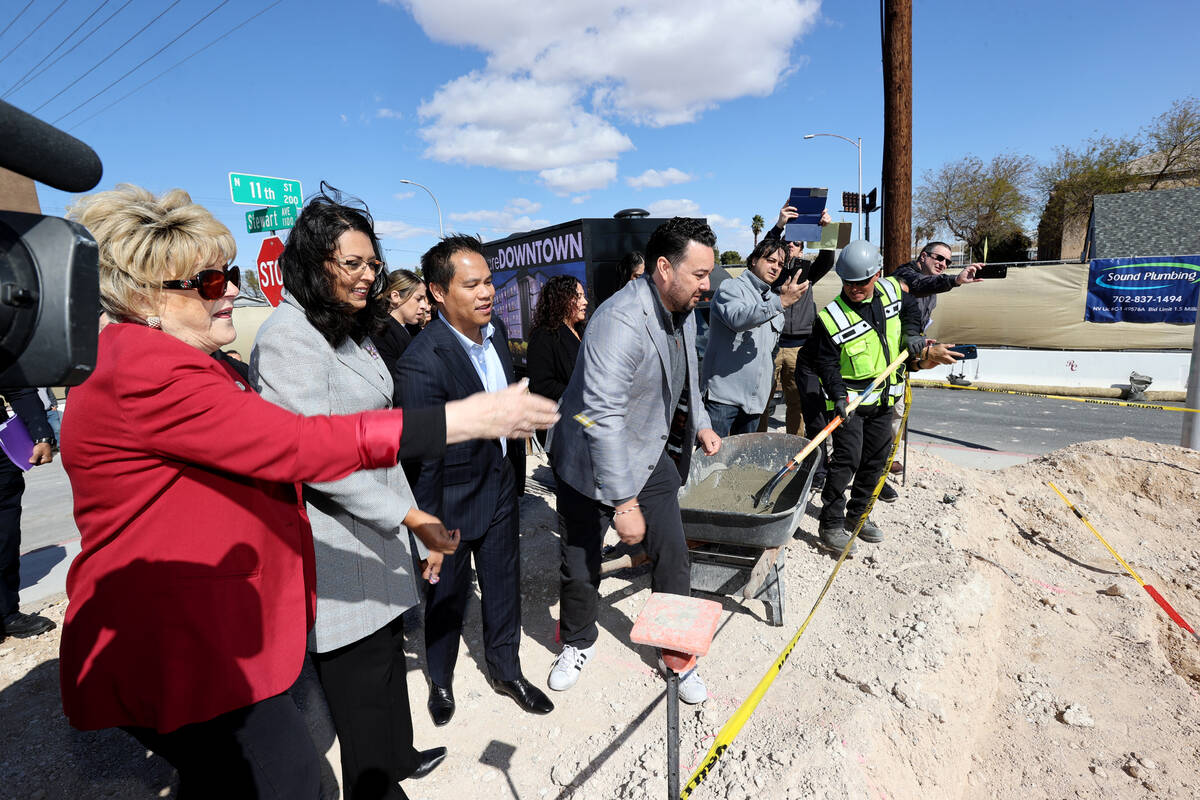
[367, 689]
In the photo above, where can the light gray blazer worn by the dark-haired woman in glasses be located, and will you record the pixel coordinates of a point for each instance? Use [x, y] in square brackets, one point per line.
[364, 569]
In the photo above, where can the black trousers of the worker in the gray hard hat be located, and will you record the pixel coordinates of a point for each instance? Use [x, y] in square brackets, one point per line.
[861, 448]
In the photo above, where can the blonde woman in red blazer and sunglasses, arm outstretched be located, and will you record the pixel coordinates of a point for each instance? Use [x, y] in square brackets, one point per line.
[193, 594]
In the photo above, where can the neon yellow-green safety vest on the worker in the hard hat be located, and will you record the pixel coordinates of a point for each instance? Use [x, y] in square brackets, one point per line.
[862, 350]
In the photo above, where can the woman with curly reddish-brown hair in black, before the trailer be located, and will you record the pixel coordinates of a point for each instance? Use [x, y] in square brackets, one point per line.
[555, 341]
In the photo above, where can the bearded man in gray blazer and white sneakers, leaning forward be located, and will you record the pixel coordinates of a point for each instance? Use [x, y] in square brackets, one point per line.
[622, 448]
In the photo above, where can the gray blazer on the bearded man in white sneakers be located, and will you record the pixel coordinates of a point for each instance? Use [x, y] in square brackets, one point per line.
[620, 386]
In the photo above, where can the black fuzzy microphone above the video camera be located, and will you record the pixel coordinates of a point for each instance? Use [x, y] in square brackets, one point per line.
[41, 152]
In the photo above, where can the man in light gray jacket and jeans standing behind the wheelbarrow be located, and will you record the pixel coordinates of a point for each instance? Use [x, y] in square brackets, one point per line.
[746, 321]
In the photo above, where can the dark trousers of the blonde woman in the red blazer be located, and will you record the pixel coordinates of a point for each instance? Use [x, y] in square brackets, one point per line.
[260, 753]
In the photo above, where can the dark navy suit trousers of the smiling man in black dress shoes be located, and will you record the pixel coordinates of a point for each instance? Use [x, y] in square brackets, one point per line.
[497, 556]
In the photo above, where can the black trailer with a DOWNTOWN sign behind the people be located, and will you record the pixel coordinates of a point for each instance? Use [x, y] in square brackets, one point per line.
[589, 250]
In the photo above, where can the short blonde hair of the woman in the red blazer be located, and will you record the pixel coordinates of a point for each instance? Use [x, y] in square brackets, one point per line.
[146, 240]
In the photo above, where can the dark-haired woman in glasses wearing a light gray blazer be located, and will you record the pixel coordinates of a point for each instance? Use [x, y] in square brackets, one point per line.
[314, 357]
